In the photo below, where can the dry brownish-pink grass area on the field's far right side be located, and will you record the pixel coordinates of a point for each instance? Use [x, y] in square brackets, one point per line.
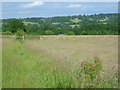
[75, 50]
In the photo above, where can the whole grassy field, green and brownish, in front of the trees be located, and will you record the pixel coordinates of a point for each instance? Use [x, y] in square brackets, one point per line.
[56, 63]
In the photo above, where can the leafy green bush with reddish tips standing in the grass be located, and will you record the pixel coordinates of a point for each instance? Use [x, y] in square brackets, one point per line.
[91, 70]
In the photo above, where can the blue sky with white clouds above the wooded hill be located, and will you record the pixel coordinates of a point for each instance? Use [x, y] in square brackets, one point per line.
[49, 9]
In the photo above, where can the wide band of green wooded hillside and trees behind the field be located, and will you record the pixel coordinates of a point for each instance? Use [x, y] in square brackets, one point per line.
[102, 24]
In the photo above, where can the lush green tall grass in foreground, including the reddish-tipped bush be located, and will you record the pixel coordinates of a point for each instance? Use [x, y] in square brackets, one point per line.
[27, 68]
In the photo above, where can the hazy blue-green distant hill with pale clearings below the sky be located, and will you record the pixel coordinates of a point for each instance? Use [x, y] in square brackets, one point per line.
[85, 19]
